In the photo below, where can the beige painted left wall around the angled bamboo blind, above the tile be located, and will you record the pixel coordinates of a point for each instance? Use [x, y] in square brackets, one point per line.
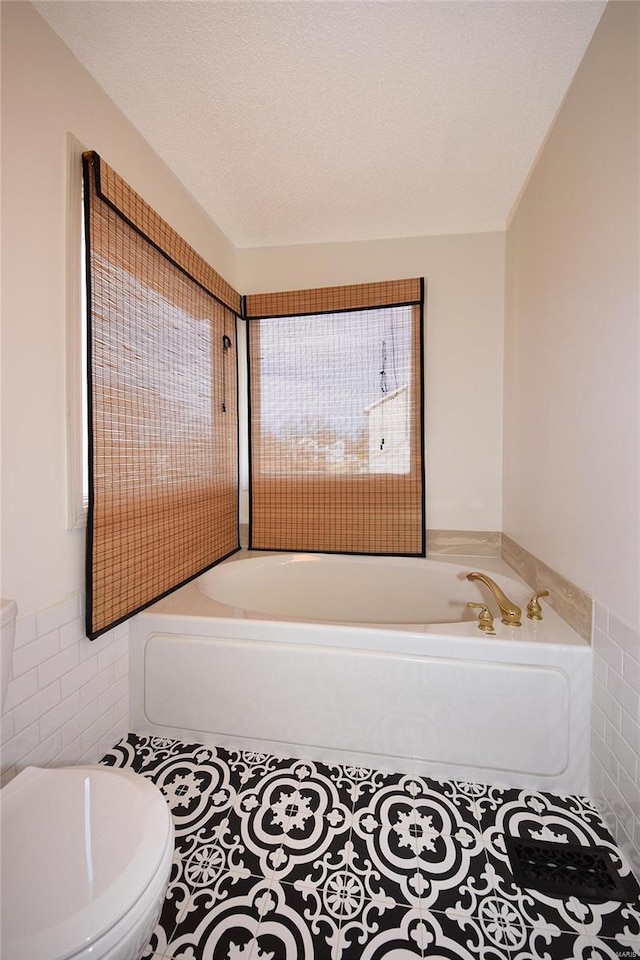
[45, 94]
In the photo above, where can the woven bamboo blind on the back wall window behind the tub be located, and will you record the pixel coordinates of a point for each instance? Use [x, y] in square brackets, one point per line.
[336, 431]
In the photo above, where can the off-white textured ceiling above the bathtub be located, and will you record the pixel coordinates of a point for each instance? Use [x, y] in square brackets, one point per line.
[312, 120]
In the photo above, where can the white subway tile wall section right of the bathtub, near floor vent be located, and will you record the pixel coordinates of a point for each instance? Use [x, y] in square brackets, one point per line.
[615, 730]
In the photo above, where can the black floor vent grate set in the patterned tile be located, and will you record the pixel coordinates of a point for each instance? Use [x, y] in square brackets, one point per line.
[568, 870]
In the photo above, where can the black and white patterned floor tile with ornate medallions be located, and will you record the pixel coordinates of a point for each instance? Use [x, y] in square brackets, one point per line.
[288, 859]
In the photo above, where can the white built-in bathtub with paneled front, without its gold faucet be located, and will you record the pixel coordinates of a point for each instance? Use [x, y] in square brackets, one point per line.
[367, 661]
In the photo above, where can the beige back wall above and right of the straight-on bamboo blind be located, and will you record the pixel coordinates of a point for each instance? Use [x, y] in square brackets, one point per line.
[464, 363]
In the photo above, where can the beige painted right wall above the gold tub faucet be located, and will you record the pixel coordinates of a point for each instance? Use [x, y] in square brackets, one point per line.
[572, 434]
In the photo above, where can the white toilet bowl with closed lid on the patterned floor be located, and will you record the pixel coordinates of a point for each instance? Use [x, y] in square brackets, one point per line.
[84, 851]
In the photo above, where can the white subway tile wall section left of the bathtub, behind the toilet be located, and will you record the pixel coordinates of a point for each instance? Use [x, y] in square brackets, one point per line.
[68, 698]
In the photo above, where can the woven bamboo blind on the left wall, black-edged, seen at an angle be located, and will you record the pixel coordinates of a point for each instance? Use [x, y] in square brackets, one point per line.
[163, 426]
